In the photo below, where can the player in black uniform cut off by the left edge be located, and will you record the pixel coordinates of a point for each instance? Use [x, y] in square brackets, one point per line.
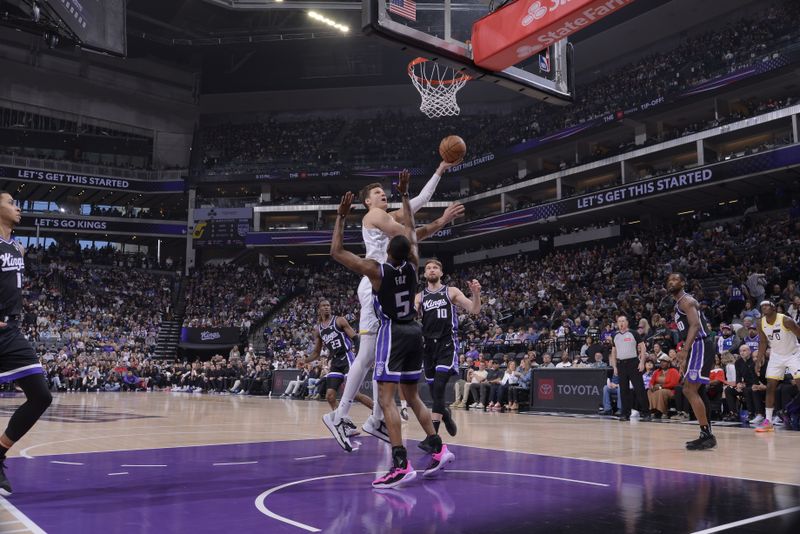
[18, 362]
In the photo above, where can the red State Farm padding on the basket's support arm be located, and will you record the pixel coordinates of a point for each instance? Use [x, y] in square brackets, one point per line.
[524, 28]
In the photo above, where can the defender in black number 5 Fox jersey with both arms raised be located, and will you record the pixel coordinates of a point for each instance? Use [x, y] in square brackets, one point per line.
[398, 354]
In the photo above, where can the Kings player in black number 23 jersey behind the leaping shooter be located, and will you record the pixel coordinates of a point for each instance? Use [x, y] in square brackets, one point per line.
[335, 333]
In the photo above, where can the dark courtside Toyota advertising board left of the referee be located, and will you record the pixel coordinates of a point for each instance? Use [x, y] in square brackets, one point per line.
[569, 390]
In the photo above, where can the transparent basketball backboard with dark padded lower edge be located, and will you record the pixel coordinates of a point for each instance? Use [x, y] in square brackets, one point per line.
[441, 32]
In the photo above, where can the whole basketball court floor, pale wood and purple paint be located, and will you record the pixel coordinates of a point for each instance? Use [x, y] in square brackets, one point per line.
[142, 462]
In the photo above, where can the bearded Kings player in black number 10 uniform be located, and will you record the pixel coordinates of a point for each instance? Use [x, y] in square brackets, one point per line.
[437, 306]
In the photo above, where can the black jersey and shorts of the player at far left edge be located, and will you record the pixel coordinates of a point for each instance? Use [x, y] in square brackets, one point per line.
[17, 358]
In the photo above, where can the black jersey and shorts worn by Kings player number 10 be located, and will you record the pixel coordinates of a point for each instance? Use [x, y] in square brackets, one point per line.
[439, 332]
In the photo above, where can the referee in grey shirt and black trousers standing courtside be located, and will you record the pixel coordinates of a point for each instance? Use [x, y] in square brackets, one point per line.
[627, 359]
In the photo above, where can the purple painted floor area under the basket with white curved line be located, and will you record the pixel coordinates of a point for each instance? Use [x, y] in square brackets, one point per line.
[311, 486]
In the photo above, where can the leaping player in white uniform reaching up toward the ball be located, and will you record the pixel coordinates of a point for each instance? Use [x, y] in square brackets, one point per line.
[377, 227]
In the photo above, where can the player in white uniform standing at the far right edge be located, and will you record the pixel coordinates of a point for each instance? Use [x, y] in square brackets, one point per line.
[780, 332]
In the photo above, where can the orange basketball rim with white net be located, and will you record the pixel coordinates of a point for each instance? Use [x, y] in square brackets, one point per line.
[437, 85]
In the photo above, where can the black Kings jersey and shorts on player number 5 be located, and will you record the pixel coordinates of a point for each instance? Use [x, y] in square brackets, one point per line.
[398, 352]
